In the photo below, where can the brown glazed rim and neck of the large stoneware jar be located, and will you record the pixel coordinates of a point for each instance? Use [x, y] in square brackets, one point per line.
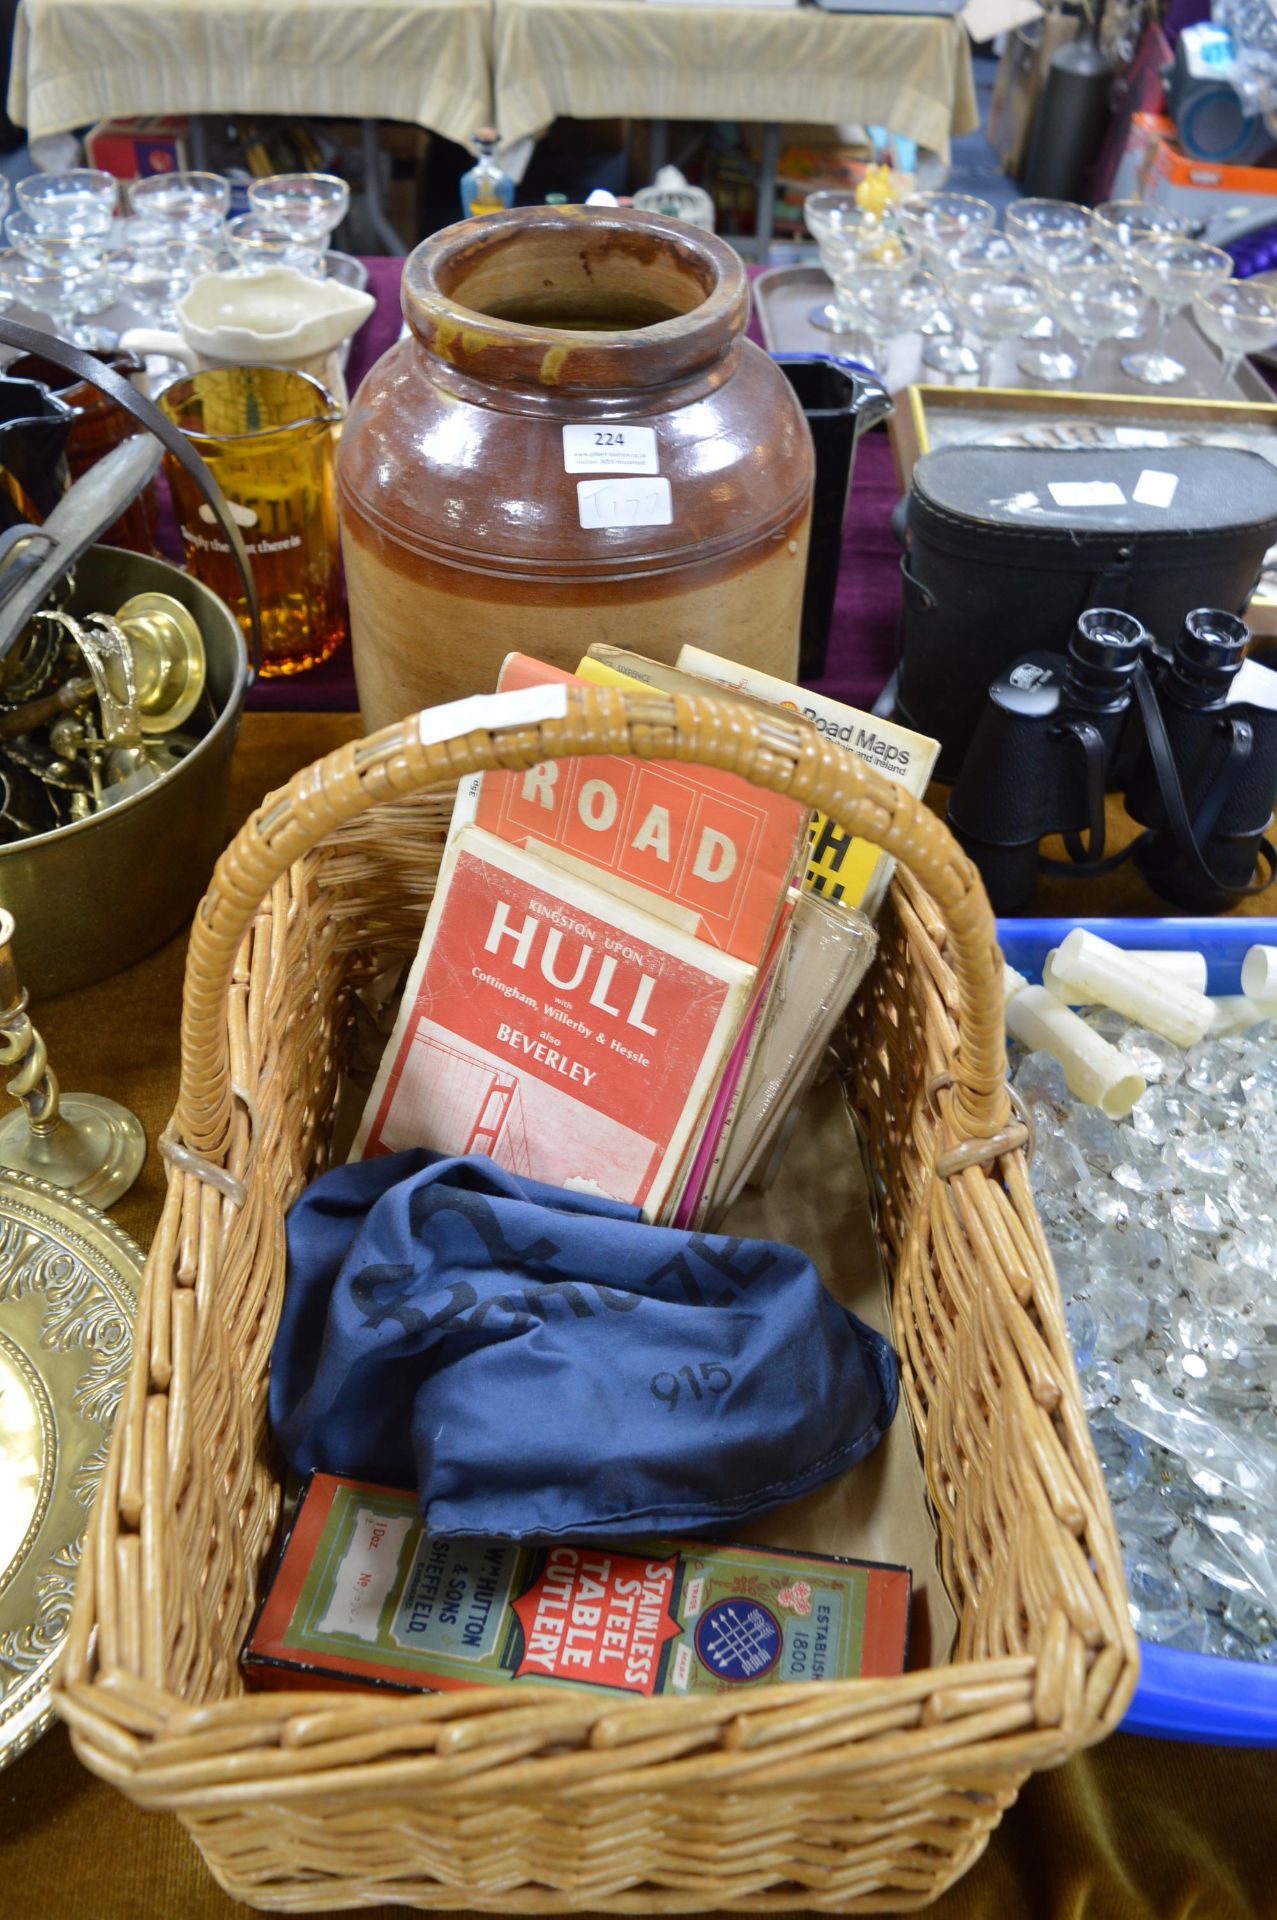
[585, 304]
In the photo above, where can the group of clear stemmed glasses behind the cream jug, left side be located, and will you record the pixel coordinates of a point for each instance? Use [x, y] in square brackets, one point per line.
[84, 243]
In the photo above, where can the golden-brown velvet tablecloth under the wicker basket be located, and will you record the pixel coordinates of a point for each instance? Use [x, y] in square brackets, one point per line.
[1132, 1831]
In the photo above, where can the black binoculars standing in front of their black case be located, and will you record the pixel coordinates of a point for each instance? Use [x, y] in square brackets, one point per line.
[1190, 738]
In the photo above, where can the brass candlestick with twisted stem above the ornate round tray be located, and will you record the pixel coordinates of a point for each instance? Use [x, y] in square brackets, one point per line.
[80, 1141]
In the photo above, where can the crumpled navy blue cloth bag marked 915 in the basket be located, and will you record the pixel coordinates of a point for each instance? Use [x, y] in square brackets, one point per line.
[544, 1364]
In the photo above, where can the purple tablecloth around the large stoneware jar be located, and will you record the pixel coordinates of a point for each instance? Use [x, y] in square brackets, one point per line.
[863, 635]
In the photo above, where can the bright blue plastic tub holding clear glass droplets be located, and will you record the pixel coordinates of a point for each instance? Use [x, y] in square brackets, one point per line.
[1180, 1696]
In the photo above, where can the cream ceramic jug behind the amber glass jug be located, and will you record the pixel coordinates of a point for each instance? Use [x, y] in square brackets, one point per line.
[262, 320]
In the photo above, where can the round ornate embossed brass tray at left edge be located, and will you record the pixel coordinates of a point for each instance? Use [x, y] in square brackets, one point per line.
[68, 1295]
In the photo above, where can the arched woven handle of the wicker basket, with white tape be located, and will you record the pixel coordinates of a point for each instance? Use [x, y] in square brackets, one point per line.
[471, 736]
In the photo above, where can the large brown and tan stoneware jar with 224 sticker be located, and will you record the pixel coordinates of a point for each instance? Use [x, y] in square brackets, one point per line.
[573, 444]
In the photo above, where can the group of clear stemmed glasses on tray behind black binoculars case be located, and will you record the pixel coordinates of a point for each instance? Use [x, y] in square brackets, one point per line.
[1063, 277]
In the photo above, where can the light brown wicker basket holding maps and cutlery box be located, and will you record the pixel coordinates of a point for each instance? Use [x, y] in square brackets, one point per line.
[854, 1796]
